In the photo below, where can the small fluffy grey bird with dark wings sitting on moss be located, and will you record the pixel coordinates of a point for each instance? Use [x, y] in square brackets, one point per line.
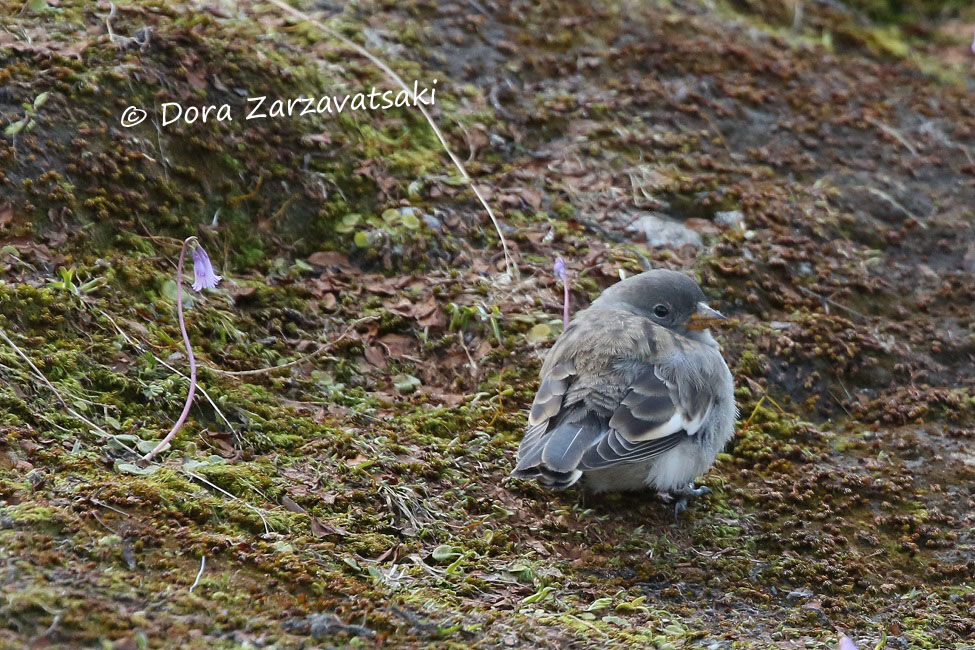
[634, 393]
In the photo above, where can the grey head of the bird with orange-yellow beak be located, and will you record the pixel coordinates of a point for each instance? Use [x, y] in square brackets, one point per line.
[668, 298]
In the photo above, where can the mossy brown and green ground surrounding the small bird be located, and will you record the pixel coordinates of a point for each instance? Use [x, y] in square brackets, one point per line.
[359, 496]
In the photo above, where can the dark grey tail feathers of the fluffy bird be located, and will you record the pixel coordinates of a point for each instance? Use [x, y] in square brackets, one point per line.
[552, 458]
